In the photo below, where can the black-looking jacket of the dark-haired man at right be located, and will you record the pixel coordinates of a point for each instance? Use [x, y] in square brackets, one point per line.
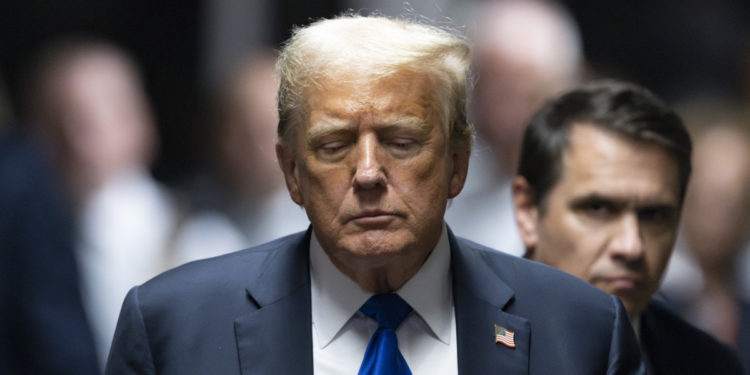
[673, 346]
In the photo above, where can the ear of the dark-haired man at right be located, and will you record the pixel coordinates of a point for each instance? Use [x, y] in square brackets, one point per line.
[527, 214]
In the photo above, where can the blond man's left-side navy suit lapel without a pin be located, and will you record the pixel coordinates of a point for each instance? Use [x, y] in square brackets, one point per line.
[277, 336]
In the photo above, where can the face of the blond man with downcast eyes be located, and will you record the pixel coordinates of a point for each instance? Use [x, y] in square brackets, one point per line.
[374, 170]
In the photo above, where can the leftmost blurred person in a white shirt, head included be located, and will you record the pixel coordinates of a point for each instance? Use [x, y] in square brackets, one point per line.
[87, 105]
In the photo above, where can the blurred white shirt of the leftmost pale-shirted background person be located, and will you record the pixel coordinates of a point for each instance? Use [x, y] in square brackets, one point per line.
[125, 227]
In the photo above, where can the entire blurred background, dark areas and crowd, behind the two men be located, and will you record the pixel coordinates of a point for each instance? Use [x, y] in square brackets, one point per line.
[213, 185]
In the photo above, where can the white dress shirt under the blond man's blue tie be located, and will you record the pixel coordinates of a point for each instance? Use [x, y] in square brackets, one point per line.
[426, 338]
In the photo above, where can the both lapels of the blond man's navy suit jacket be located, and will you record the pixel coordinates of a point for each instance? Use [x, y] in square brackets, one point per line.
[276, 336]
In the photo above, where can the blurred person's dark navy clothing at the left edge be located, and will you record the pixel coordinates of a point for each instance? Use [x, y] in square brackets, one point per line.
[43, 327]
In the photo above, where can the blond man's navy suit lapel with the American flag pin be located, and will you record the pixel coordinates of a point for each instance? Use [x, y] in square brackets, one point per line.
[479, 299]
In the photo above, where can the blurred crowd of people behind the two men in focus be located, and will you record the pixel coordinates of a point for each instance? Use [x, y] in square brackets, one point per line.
[82, 220]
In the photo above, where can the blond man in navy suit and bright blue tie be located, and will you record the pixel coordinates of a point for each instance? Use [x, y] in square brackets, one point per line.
[373, 142]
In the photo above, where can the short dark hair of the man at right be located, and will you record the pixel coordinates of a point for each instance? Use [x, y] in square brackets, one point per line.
[620, 107]
